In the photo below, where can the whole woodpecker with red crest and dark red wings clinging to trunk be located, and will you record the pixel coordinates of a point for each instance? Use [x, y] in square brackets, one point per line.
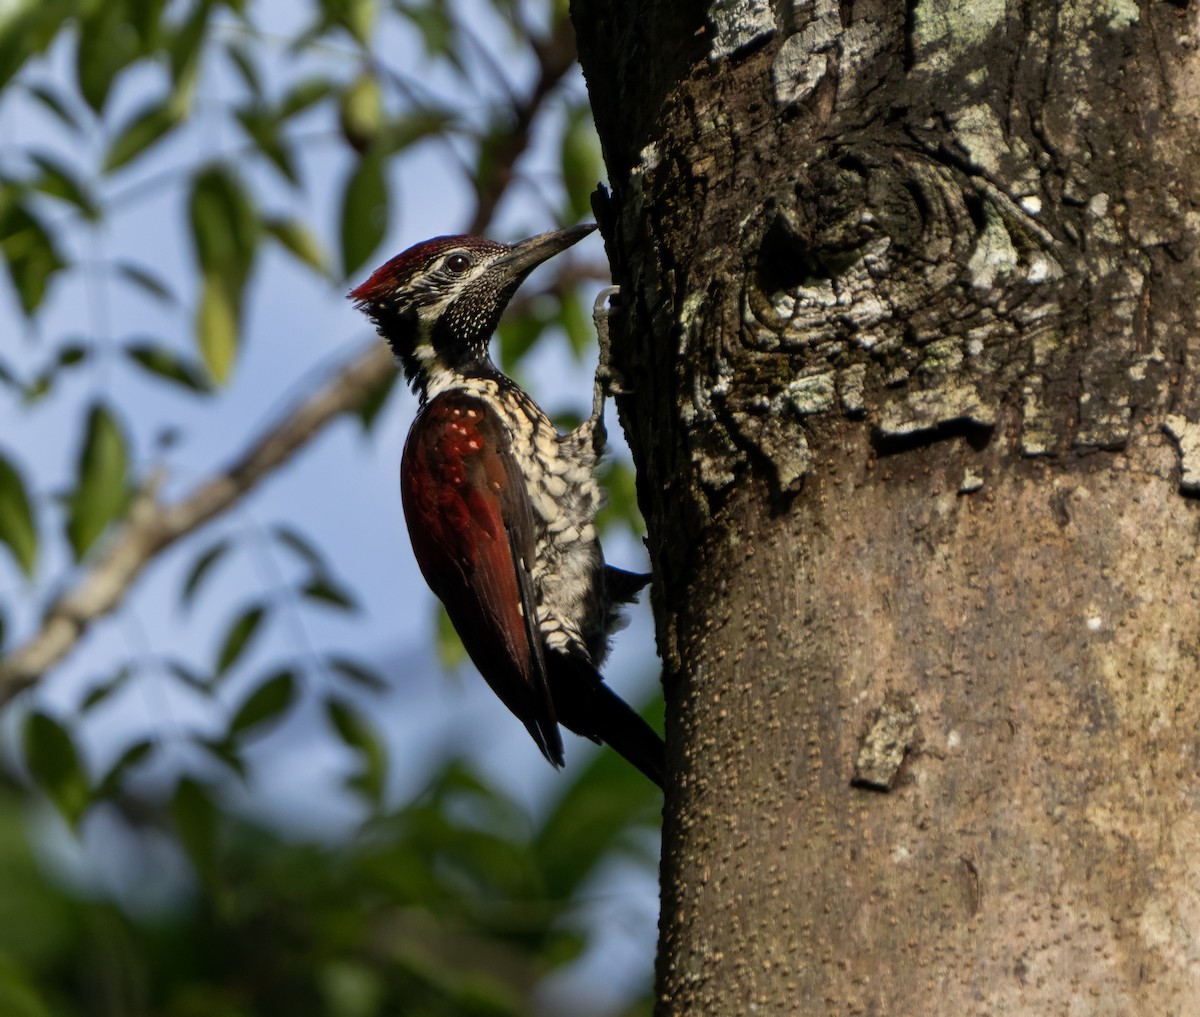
[501, 508]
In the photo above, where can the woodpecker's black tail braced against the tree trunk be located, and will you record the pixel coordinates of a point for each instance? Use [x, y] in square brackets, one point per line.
[589, 707]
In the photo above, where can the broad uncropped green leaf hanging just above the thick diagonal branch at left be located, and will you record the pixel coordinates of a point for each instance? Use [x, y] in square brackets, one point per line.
[103, 483]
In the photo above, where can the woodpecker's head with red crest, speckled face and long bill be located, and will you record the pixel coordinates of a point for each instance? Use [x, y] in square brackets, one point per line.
[439, 303]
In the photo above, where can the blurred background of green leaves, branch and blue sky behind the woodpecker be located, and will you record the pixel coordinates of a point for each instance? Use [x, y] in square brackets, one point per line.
[185, 191]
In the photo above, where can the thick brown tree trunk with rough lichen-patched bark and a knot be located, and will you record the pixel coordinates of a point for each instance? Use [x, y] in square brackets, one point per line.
[908, 346]
